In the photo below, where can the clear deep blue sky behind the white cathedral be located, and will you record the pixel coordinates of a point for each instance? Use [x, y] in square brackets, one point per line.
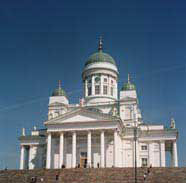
[44, 41]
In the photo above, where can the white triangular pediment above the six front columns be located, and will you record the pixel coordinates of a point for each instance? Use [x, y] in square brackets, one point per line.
[80, 115]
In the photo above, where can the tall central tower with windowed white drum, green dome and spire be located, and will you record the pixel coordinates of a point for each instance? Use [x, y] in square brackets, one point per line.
[100, 76]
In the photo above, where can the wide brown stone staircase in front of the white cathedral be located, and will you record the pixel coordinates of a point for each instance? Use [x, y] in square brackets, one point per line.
[97, 175]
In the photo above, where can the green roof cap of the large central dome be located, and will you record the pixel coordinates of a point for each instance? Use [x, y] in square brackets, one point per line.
[100, 57]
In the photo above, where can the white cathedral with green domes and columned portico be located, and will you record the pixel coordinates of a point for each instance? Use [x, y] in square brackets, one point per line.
[105, 129]
